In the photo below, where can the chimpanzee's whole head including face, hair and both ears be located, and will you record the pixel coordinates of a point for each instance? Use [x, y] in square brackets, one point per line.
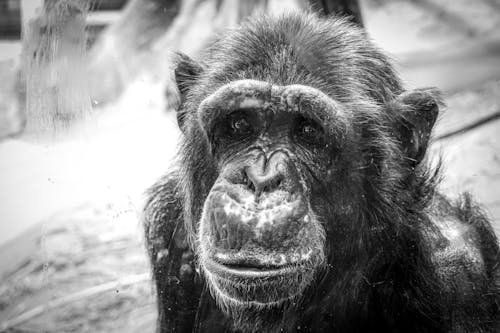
[300, 151]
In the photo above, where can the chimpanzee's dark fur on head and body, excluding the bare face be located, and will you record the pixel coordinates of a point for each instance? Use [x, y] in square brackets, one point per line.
[389, 267]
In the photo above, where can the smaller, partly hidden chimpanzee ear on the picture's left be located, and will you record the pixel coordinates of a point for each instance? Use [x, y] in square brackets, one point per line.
[186, 71]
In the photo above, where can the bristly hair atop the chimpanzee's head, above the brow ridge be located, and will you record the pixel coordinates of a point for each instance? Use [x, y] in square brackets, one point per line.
[327, 54]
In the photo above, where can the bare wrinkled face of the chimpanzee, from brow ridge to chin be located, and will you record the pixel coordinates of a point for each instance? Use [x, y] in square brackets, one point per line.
[260, 239]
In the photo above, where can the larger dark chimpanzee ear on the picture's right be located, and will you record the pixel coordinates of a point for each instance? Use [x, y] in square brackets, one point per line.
[415, 113]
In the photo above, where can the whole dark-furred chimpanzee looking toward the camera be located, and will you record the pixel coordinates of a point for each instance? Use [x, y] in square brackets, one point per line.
[302, 200]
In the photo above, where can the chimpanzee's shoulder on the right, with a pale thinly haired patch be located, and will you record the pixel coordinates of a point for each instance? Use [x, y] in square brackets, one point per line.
[466, 256]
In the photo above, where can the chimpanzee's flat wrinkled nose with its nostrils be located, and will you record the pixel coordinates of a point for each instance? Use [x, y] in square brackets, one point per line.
[266, 176]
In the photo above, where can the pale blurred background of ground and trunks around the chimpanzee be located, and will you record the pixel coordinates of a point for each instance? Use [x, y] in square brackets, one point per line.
[87, 124]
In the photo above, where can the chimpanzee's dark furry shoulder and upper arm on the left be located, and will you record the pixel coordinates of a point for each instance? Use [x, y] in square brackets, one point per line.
[177, 284]
